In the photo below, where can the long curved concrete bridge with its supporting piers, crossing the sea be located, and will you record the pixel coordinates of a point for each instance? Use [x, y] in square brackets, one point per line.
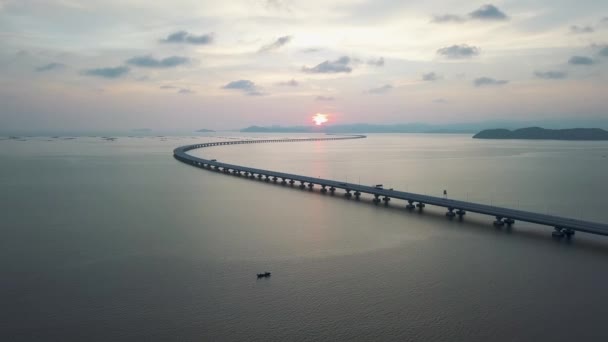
[503, 216]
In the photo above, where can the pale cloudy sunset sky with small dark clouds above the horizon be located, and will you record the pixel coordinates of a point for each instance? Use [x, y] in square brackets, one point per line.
[191, 64]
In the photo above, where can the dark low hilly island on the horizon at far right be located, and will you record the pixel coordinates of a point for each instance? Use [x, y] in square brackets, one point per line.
[538, 133]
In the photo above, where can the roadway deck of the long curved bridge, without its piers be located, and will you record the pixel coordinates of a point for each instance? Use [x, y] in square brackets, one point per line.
[520, 215]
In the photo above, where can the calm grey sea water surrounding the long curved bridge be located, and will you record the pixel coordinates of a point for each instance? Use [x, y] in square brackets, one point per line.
[113, 241]
